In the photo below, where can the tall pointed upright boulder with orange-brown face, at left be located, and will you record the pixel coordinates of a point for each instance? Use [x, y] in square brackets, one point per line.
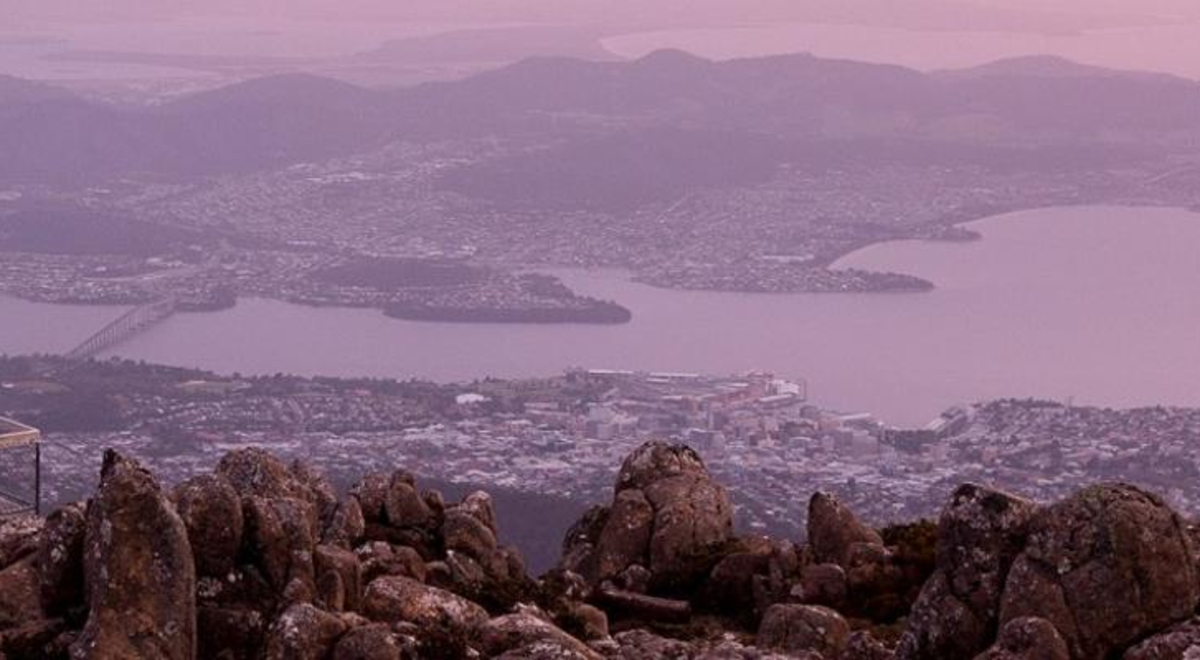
[140, 571]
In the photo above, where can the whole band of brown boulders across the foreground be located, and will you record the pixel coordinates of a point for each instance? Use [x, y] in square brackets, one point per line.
[262, 560]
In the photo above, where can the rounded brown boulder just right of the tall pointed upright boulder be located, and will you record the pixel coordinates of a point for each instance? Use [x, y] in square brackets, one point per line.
[212, 512]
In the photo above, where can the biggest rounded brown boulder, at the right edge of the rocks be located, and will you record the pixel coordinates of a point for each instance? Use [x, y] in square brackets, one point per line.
[1107, 568]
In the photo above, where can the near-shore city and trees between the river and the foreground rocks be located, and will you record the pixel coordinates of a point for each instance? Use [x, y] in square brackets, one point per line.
[566, 436]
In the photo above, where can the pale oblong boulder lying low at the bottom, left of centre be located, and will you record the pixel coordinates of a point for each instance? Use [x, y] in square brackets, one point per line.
[401, 599]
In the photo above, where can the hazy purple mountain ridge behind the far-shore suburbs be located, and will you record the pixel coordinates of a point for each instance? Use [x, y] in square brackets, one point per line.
[50, 135]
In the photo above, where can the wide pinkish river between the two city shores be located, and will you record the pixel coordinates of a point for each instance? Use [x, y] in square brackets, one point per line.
[1101, 305]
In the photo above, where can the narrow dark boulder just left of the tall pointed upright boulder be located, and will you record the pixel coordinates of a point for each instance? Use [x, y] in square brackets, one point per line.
[61, 560]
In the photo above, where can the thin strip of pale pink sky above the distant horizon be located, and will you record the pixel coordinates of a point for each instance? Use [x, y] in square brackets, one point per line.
[1000, 14]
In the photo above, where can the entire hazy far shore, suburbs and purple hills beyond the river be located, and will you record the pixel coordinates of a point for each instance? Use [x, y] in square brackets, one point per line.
[437, 203]
